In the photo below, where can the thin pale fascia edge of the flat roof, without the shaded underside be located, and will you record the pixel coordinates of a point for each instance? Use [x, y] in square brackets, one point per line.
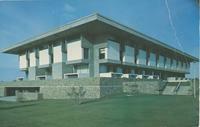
[88, 19]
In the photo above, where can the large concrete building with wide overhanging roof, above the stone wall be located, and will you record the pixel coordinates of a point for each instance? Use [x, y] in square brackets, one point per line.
[96, 46]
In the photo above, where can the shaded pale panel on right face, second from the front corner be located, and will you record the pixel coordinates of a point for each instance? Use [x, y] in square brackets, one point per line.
[129, 55]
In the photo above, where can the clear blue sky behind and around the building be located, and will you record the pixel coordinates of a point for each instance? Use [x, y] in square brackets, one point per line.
[20, 20]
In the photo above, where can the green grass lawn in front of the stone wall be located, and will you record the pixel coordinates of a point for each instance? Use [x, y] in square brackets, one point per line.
[117, 111]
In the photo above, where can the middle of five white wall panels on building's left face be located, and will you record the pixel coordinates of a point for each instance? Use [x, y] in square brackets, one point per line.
[44, 57]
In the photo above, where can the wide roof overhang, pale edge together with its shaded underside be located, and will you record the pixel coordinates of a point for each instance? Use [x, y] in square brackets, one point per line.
[90, 22]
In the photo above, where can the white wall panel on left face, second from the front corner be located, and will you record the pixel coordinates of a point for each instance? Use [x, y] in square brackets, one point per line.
[58, 55]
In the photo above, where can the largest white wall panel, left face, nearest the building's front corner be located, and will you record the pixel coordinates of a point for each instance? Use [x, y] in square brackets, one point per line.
[74, 51]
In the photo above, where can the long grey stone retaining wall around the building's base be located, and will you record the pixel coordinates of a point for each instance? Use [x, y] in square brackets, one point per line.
[91, 87]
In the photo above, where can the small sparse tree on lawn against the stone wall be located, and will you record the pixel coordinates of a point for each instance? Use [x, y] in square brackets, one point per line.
[77, 93]
